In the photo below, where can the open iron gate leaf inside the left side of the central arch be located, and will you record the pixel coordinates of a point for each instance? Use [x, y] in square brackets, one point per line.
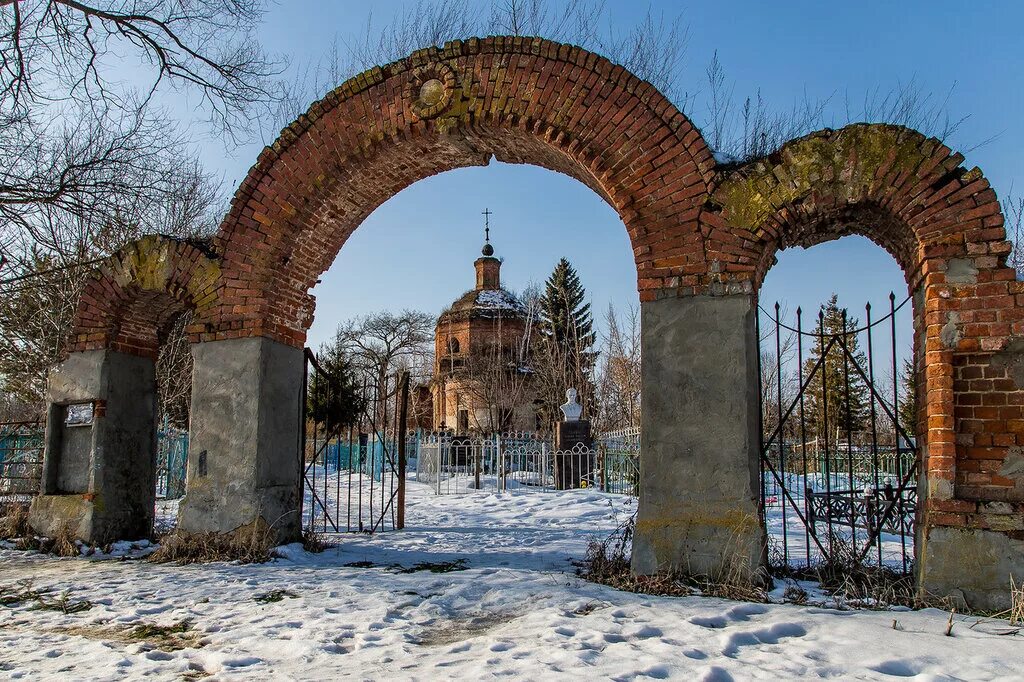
[354, 474]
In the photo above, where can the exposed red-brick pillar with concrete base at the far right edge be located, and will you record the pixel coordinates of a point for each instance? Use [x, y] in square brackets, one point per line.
[971, 522]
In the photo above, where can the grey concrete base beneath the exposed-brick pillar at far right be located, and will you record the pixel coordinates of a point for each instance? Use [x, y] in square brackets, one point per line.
[971, 566]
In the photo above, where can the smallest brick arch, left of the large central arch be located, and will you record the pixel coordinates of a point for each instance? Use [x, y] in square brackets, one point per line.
[131, 296]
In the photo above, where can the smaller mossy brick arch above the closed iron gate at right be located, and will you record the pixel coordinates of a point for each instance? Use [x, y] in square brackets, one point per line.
[910, 194]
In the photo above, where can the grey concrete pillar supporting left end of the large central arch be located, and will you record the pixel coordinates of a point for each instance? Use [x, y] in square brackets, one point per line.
[244, 444]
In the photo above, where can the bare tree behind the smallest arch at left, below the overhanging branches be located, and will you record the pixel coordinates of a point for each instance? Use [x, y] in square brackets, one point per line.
[38, 305]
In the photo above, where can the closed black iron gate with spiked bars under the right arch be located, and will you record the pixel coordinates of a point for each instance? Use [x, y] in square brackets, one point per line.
[839, 481]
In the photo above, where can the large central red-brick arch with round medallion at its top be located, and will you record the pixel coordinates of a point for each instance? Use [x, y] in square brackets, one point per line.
[517, 100]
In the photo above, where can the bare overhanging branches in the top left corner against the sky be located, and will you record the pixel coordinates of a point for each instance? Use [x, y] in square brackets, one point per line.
[58, 52]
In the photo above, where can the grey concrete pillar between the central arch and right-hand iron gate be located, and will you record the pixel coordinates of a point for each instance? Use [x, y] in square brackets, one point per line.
[699, 470]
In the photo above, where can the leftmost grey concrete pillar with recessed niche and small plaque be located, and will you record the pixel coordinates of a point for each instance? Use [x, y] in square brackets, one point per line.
[100, 480]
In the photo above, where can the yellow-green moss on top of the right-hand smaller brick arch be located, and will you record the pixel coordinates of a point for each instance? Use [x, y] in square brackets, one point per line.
[845, 161]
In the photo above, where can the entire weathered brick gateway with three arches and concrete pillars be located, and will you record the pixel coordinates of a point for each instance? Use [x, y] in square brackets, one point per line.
[703, 236]
